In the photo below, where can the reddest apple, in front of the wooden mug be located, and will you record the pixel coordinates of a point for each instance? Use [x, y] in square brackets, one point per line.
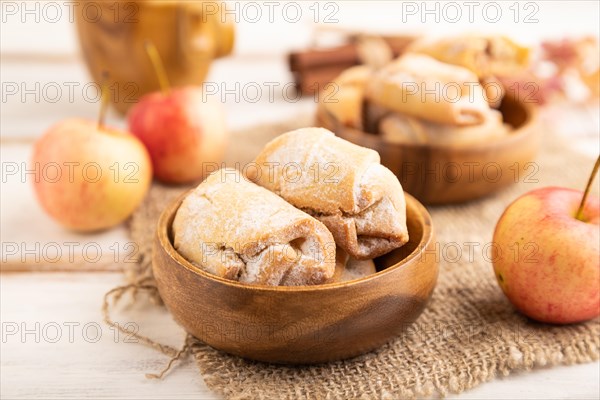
[182, 131]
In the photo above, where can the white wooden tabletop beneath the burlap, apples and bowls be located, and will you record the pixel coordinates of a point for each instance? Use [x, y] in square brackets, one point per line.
[54, 343]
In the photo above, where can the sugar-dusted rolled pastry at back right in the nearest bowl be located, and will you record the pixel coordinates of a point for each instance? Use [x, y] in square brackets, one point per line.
[362, 204]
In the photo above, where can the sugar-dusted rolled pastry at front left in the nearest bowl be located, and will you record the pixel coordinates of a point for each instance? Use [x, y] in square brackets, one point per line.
[233, 228]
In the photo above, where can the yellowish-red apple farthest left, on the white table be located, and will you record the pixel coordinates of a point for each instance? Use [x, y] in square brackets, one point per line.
[89, 177]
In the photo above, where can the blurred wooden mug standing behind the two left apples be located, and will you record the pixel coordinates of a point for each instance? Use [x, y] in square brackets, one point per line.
[188, 36]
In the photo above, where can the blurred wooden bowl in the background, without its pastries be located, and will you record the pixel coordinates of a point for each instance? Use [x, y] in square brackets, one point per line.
[442, 174]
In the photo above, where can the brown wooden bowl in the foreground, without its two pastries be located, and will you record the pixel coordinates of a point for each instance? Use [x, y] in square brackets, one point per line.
[304, 324]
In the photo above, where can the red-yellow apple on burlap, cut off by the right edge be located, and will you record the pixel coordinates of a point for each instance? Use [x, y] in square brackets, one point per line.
[548, 261]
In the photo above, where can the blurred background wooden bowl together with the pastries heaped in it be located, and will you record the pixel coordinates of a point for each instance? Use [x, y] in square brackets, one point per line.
[436, 127]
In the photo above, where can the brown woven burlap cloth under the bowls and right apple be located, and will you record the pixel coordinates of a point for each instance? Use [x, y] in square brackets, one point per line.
[468, 334]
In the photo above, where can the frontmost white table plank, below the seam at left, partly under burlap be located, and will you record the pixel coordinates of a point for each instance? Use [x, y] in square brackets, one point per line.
[109, 369]
